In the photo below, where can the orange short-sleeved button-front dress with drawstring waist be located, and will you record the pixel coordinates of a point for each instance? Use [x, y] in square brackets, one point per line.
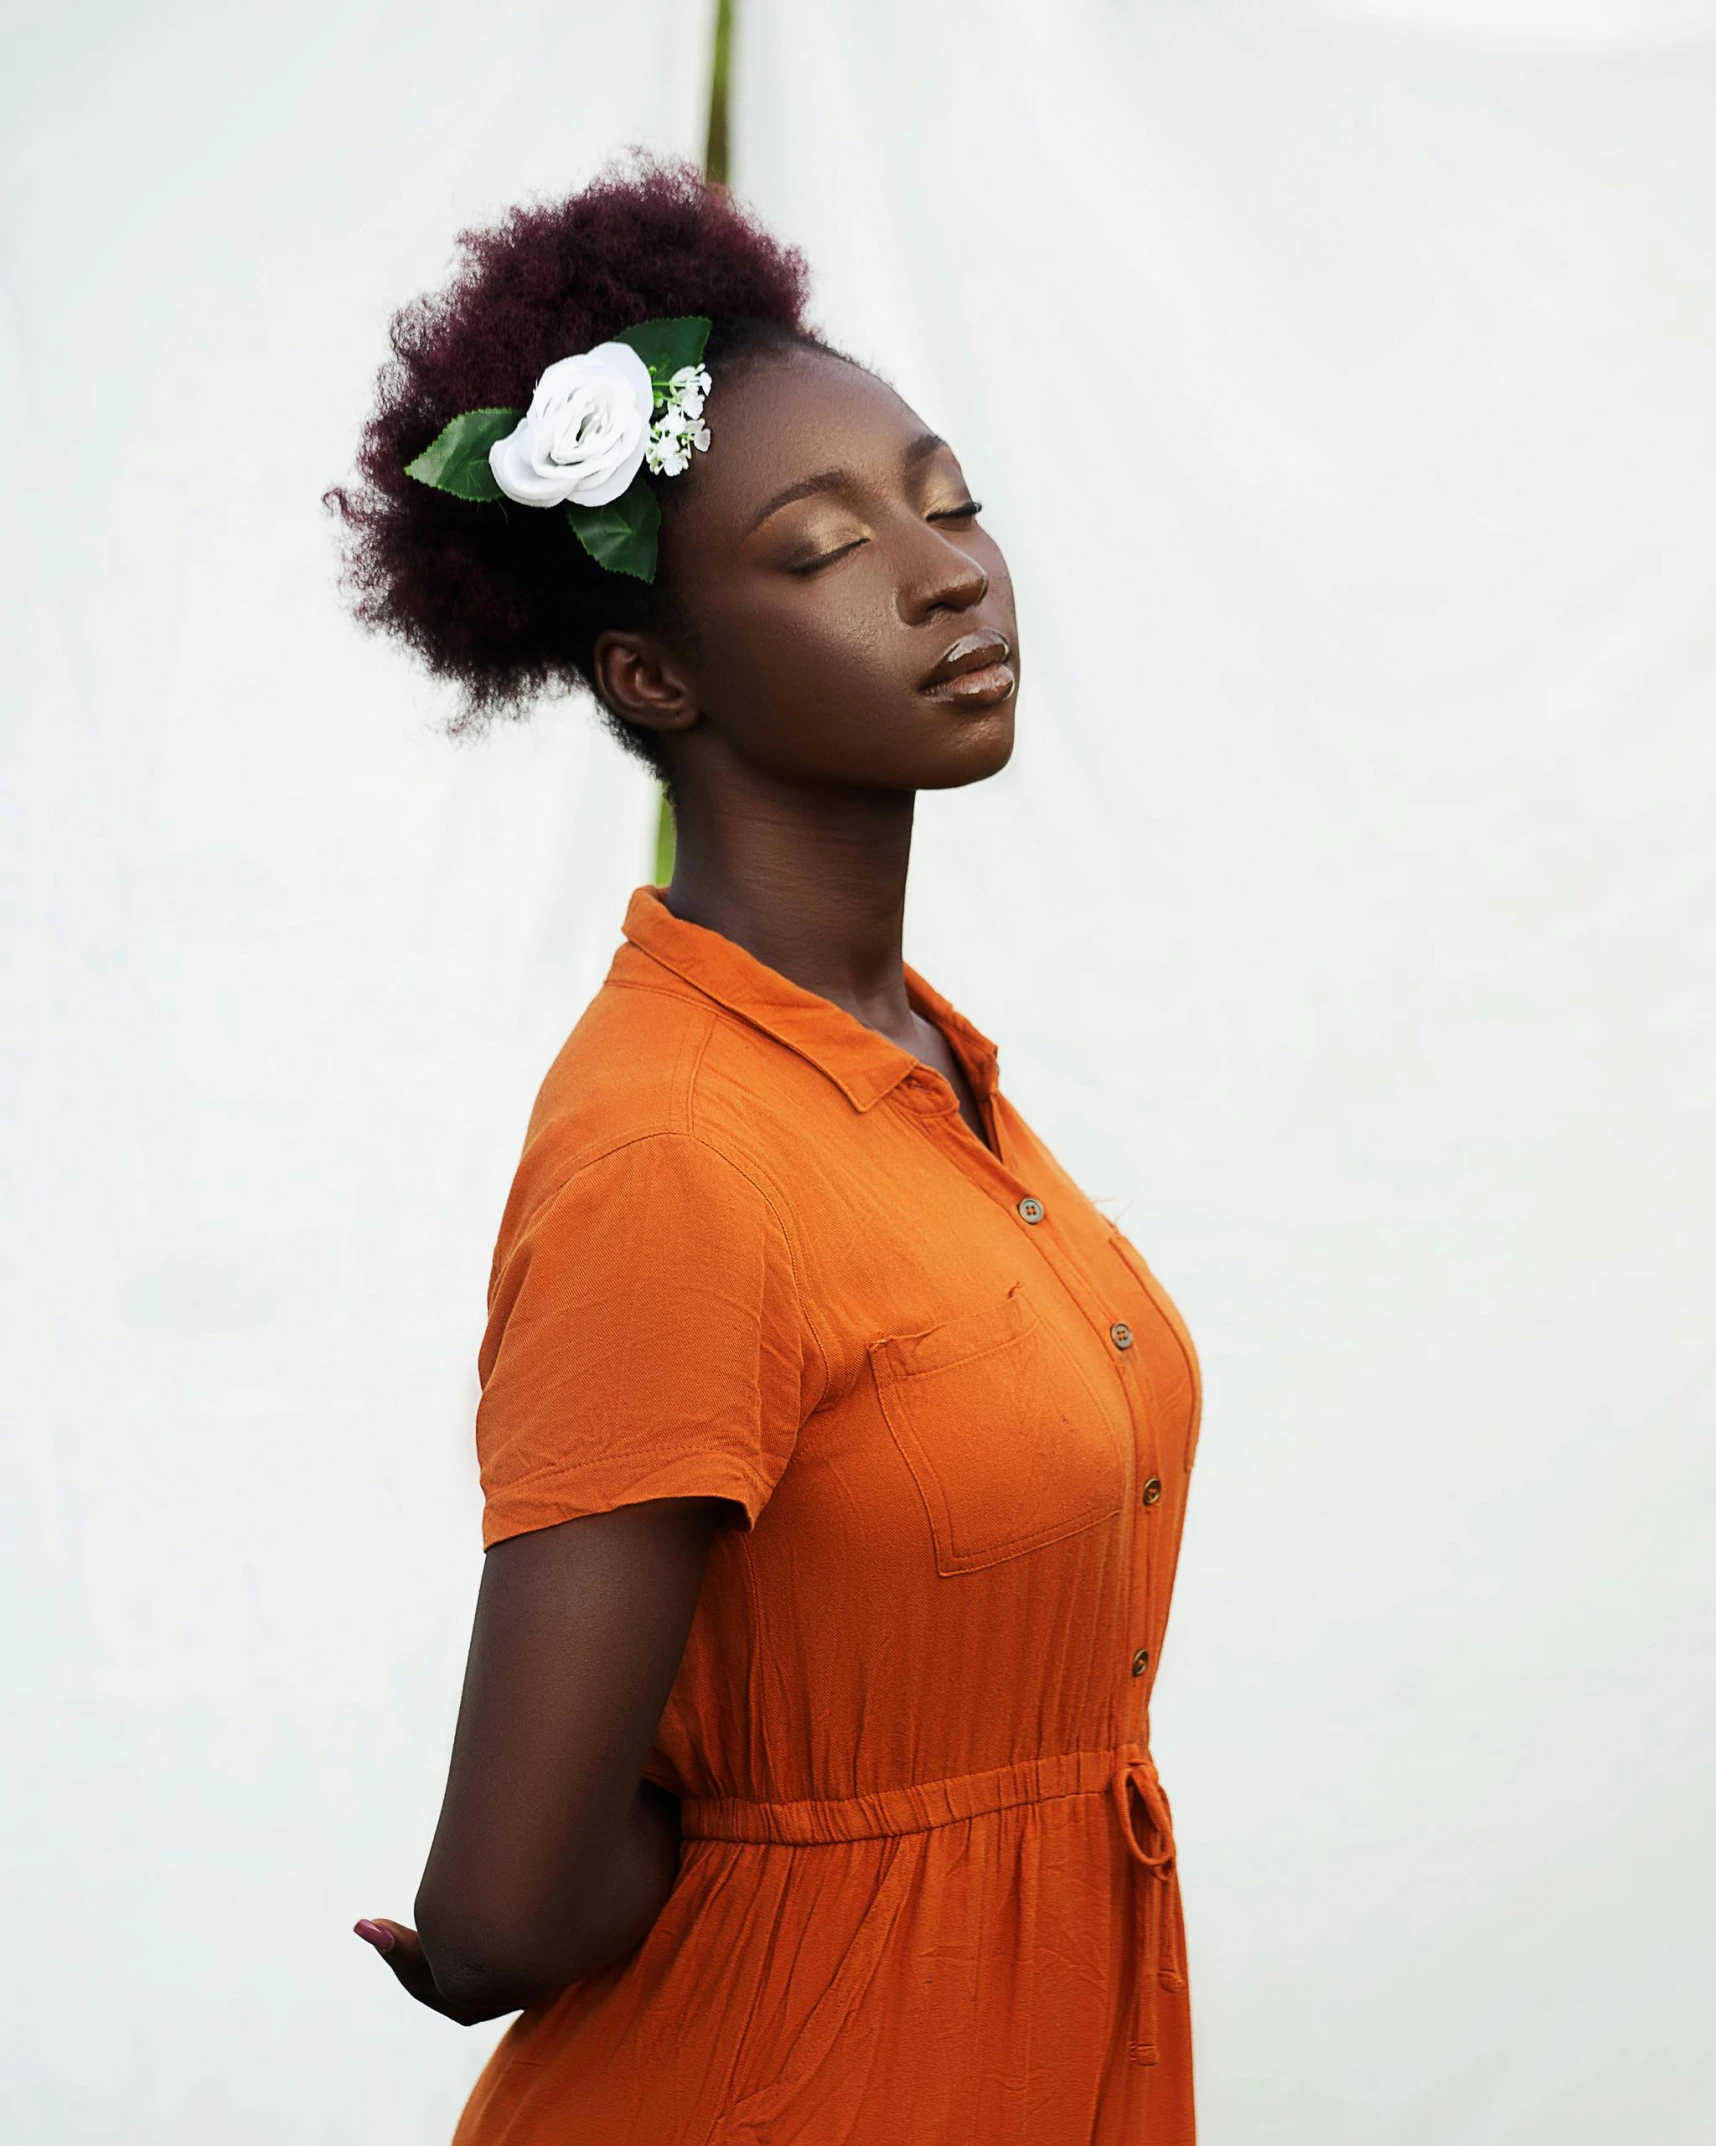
[928, 1890]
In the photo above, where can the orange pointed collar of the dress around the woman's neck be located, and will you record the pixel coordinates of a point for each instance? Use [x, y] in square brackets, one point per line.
[861, 1063]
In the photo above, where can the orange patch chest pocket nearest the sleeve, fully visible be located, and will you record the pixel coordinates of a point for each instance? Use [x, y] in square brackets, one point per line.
[1007, 1439]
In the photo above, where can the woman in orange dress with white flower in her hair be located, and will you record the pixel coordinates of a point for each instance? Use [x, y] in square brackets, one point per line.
[833, 1443]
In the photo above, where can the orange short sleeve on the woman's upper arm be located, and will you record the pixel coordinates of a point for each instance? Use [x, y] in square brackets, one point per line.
[645, 1342]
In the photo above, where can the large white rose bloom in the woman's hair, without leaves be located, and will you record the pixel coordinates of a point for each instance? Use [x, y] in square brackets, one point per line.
[585, 435]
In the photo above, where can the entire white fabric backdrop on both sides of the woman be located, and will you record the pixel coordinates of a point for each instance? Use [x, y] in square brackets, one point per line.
[1344, 920]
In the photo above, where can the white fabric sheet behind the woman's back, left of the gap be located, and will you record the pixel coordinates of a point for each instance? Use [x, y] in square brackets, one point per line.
[282, 975]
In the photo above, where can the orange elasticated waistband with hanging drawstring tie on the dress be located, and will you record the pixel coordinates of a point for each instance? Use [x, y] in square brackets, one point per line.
[1125, 1774]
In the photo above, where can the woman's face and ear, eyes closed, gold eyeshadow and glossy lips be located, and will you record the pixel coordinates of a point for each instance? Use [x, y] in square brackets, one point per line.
[848, 617]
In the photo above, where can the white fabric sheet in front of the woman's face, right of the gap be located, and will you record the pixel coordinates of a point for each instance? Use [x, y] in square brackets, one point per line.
[1344, 400]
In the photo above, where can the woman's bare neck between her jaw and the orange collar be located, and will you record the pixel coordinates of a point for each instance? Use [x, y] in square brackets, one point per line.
[808, 879]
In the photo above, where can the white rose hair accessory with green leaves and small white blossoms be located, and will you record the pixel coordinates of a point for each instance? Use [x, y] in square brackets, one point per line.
[595, 424]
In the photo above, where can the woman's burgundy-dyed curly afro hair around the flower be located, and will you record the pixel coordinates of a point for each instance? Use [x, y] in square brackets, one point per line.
[505, 602]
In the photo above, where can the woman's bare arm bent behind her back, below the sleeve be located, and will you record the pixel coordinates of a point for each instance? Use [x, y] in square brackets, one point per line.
[552, 1855]
